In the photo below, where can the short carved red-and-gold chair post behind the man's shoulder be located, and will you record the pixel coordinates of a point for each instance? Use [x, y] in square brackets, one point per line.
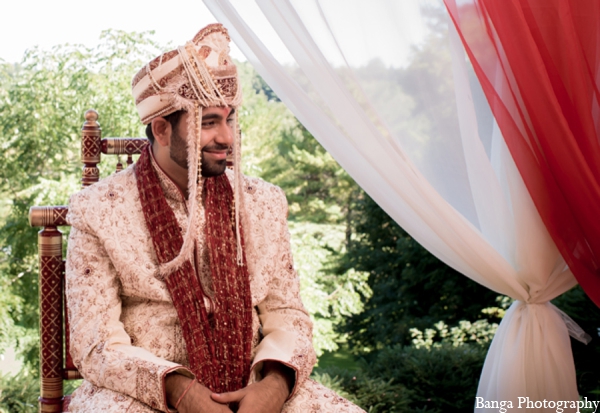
[91, 137]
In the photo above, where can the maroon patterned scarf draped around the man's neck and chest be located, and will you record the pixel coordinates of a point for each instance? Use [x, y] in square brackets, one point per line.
[218, 344]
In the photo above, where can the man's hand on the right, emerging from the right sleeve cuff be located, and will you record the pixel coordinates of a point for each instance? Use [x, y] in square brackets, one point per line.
[265, 396]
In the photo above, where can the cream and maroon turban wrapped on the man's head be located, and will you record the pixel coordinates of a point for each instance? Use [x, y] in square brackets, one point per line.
[201, 72]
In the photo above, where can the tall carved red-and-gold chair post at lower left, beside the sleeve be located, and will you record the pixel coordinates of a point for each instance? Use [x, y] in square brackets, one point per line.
[51, 304]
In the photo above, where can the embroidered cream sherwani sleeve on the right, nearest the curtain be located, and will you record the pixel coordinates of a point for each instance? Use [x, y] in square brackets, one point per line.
[286, 325]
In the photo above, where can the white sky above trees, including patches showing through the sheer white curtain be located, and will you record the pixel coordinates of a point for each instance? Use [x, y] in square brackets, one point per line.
[28, 23]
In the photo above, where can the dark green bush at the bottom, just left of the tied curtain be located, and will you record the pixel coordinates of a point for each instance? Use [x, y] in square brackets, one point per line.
[440, 378]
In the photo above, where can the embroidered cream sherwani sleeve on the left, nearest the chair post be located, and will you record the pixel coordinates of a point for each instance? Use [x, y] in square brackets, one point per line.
[100, 346]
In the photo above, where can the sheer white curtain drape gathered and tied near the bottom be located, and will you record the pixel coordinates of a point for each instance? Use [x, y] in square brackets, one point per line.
[386, 89]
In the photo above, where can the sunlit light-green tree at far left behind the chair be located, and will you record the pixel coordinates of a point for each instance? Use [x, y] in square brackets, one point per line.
[42, 100]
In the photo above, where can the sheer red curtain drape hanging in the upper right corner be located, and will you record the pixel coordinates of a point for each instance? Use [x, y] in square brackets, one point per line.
[538, 62]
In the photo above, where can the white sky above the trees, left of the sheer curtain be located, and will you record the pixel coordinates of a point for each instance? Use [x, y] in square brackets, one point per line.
[27, 23]
